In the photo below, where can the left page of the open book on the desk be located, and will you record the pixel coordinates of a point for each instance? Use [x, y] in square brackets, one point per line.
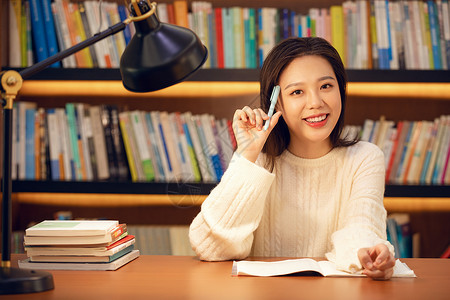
[275, 268]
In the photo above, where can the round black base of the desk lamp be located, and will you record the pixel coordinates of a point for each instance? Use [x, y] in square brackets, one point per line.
[21, 281]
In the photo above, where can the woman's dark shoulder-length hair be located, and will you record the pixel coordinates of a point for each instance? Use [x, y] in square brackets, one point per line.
[275, 63]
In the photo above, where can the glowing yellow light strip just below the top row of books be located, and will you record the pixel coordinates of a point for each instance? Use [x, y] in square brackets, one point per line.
[100, 88]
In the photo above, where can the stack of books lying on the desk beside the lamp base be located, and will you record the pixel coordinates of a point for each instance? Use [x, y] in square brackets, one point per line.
[78, 245]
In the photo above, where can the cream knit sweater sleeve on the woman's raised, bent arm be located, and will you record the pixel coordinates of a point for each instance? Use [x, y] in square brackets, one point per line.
[231, 213]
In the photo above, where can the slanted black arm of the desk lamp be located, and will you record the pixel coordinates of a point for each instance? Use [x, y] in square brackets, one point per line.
[25, 73]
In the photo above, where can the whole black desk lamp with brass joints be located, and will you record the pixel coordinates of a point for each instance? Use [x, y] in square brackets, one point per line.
[159, 55]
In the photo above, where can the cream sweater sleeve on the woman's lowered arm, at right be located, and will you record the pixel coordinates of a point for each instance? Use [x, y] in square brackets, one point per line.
[362, 216]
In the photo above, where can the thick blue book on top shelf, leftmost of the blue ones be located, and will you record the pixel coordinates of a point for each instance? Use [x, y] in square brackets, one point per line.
[38, 30]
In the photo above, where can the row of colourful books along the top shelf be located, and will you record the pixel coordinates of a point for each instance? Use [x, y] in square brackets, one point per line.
[367, 34]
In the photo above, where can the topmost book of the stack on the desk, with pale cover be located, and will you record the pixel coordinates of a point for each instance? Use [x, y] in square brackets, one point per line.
[71, 228]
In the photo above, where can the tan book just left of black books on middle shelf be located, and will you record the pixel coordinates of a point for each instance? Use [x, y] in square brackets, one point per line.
[101, 155]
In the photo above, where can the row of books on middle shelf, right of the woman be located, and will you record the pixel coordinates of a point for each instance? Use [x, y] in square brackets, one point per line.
[416, 152]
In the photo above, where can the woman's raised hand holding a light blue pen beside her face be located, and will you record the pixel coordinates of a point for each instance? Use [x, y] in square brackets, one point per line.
[248, 127]
